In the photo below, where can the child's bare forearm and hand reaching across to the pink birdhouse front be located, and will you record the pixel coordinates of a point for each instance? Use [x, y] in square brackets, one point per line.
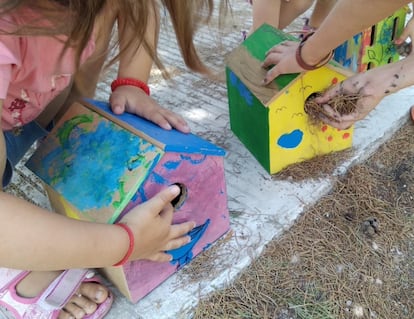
[35, 239]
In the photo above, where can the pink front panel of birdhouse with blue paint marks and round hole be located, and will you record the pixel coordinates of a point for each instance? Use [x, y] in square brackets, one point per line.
[204, 201]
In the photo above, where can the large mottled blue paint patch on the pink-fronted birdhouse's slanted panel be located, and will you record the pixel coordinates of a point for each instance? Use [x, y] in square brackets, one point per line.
[87, 164]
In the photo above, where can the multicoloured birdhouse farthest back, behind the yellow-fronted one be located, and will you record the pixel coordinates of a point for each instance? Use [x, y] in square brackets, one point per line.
[374, 46]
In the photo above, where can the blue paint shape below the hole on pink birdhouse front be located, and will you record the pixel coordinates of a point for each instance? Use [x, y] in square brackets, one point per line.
[183, 255]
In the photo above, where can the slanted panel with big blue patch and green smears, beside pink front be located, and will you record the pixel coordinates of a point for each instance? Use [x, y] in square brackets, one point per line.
[94, 164]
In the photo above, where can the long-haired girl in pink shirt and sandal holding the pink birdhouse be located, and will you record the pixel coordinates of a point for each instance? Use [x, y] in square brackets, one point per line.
[52, 52]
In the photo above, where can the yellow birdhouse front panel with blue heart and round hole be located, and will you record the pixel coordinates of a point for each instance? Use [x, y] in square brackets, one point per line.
[293, 137]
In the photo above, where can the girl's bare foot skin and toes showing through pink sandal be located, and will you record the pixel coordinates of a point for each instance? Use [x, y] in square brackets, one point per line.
[84, 302]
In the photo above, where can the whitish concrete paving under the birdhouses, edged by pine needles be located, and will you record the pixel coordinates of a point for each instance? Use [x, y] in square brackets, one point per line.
[261, 207]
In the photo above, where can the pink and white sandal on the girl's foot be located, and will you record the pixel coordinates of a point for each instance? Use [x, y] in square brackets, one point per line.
[49, 303]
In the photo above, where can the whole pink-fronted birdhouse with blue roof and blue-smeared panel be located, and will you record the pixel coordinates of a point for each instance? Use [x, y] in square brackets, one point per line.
[97, 166]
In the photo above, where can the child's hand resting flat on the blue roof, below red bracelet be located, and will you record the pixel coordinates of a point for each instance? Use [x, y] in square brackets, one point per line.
[135, 101]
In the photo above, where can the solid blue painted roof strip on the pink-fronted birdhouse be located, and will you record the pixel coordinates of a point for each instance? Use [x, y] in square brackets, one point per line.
[174, 141]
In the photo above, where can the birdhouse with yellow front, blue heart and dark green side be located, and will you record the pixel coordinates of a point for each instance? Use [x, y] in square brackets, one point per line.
[271, 120]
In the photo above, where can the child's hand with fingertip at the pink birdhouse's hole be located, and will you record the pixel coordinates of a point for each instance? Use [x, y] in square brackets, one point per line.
[154, 233]
